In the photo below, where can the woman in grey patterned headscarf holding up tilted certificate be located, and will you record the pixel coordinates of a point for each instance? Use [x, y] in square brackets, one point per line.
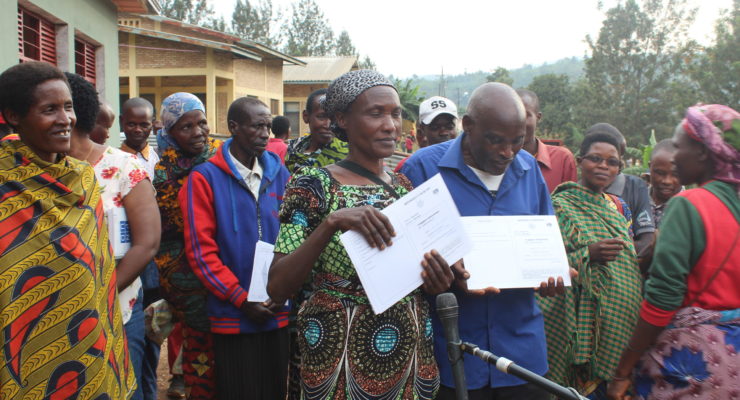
[347, 350]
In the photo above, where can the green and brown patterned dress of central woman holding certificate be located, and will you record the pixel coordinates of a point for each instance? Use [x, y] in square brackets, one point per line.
[348, 352]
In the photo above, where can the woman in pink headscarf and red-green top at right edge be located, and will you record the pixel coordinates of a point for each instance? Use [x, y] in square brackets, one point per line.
[687, 339]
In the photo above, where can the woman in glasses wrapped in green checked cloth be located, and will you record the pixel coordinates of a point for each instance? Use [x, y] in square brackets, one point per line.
[588, 327]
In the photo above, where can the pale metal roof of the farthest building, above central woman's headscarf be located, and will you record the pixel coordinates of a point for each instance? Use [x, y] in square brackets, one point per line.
[318, 69]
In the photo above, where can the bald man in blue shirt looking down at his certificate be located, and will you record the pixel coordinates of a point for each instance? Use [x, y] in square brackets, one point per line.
[488, 175]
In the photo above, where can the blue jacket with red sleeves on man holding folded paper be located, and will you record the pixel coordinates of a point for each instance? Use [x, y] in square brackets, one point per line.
[222, 223]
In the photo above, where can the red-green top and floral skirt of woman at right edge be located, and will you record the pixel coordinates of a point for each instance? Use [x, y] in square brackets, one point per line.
[692, 291]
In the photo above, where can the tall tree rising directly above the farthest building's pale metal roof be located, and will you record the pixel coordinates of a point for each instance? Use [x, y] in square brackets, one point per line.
[307, 32]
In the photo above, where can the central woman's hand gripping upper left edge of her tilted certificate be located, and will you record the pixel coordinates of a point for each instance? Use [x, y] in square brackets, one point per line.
[366, 220]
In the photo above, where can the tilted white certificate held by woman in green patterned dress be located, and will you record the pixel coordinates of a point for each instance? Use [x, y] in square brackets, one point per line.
[425, 219]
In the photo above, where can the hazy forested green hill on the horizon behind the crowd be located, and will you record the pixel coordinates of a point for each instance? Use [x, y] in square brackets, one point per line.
[458, 87]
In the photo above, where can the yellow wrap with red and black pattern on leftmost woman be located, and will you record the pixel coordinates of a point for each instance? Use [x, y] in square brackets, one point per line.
[60, 324]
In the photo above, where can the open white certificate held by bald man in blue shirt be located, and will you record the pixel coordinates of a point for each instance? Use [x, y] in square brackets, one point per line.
[514, 251]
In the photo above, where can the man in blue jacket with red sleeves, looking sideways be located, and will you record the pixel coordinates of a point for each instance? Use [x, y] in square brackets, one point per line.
[229, 203]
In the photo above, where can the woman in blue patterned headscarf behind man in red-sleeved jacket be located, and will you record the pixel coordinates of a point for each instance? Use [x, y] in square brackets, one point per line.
[184, 143]
